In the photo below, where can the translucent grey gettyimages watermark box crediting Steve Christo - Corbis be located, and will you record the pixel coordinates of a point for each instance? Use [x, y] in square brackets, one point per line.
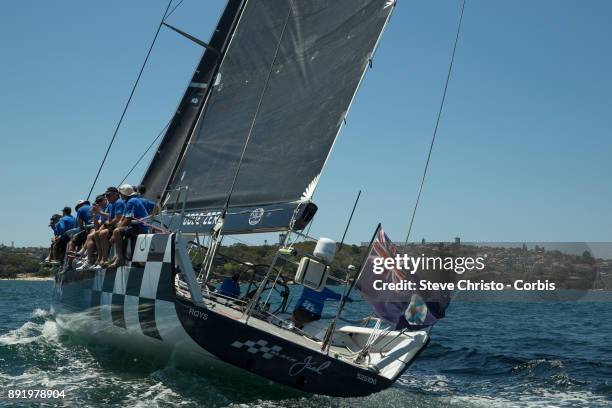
[495, 271]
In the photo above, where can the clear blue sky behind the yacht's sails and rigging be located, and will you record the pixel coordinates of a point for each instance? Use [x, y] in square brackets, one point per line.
[524, 150]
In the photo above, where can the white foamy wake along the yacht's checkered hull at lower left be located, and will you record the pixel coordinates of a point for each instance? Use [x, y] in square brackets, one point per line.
[39, 355]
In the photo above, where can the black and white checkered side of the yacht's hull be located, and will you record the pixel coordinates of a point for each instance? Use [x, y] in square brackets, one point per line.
[132, 304]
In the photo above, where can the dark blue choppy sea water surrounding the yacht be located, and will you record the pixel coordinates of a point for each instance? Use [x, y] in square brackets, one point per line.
[484, 354]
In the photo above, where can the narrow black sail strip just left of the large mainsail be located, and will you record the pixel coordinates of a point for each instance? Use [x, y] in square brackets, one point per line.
[172, 145]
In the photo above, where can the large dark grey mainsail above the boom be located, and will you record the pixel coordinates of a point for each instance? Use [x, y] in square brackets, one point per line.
[281, 94]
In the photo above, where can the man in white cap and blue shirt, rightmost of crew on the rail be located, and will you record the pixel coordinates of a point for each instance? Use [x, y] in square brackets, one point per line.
[130, 225]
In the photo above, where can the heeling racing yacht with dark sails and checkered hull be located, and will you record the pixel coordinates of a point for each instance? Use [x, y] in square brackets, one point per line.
[243, 155]
